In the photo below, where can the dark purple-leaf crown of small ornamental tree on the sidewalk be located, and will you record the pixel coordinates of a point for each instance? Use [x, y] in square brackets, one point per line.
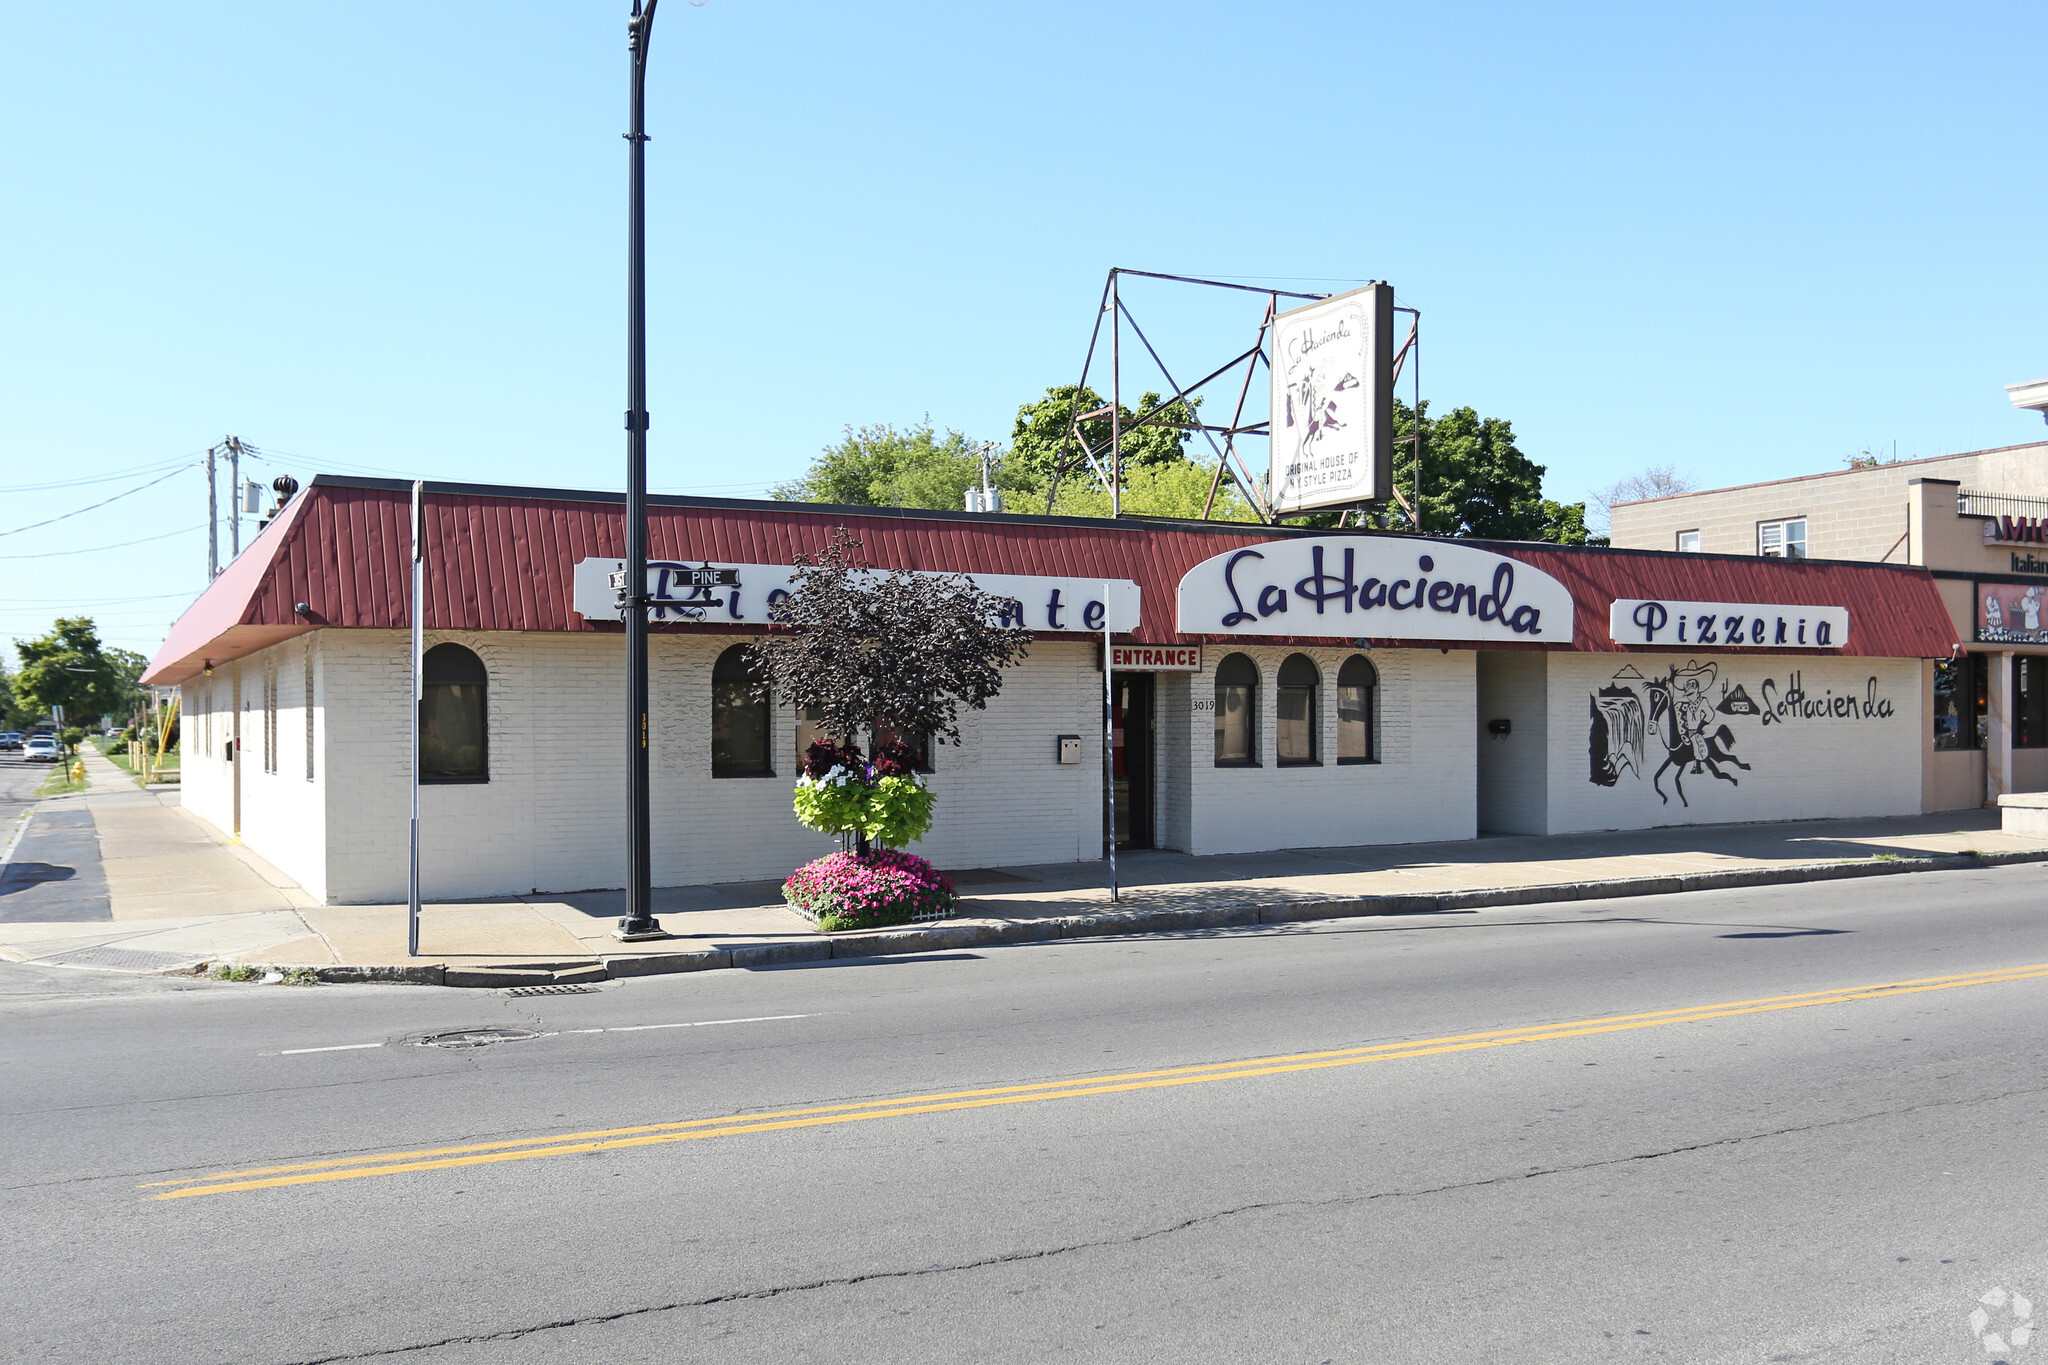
[886, 650]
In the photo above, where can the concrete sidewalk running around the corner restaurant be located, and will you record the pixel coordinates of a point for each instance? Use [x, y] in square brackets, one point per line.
[181, 895]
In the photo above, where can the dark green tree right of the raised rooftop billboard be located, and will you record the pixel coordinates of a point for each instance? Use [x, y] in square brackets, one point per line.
[1478, 484]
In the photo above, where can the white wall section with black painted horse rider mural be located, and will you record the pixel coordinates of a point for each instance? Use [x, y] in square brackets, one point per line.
[1801, 770]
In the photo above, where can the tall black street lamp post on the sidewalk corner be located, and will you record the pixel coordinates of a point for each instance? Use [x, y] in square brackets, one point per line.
[640, 922]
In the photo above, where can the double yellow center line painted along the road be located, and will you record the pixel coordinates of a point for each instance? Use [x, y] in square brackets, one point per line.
[740, 1125]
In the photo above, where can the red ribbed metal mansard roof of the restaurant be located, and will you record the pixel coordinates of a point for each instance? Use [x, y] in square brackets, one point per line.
[503, 560]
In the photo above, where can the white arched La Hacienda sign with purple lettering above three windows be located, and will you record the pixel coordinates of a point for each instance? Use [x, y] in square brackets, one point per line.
[1398, 588]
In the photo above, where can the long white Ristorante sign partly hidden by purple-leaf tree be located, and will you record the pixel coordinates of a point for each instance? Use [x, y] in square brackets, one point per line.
[681, 595]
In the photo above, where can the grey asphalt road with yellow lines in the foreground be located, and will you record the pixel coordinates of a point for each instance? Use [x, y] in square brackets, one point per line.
[1541, 1135]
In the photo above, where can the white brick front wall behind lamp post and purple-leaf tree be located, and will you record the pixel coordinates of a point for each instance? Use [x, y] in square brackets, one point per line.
[552, 818]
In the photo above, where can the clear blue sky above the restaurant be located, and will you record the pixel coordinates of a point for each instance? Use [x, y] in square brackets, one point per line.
[1746, 240]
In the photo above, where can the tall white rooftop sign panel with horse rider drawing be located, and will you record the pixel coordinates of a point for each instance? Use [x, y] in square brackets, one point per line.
[1332, 402]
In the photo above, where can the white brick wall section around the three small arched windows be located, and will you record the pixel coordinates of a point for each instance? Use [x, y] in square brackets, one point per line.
[1422, 789]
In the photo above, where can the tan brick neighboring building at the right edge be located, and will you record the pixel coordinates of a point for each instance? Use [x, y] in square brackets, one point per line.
[1979, 523]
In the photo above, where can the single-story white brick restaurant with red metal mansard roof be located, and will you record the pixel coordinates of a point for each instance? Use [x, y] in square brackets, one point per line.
[1271, 689]
